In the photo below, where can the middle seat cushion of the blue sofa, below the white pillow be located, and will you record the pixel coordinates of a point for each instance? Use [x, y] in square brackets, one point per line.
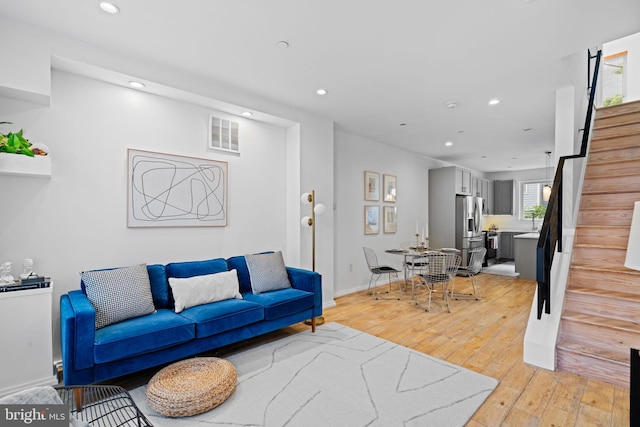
[221, 316]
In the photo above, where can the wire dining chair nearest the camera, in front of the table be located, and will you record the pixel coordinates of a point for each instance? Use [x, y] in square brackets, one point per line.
[439, 272]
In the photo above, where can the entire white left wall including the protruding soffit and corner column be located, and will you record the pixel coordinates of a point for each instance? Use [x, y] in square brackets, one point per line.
[77, 220]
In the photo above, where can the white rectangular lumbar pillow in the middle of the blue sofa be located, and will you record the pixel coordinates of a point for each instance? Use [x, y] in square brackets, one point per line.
[198, 290]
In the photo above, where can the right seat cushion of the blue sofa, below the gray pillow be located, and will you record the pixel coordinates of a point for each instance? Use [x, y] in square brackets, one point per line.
[281, 303]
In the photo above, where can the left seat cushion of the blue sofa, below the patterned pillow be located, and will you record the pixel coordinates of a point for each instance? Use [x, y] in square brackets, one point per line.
[141, 335]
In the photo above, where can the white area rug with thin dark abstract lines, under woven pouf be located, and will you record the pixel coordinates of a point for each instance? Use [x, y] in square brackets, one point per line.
[340, 377]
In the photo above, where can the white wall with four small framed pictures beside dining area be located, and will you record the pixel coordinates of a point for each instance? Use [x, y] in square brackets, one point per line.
[353, 156]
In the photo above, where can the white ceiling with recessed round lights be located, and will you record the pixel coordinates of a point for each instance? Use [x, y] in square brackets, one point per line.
[390, 67]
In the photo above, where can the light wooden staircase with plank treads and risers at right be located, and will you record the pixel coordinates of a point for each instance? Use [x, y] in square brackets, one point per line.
[601, 316]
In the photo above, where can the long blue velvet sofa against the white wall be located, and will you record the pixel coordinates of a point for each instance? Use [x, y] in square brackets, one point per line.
[91, 354]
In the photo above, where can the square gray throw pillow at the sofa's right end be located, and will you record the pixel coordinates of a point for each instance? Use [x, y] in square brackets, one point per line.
[267, 272]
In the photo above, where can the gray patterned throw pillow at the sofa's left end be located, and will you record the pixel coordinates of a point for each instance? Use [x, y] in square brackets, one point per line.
[119, 294]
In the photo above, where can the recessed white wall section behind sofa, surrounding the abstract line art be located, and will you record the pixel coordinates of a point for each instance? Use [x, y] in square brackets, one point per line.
[77, 220]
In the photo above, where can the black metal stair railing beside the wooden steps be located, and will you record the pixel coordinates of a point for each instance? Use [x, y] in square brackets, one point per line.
[551, 232]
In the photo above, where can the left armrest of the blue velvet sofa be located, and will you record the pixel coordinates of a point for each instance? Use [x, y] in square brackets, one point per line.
[78, 329]
